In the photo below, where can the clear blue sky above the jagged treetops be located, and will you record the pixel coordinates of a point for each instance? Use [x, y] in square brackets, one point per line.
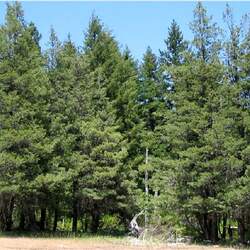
[135, 24]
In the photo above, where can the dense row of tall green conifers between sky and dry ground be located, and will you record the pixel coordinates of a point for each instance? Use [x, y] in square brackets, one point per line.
[76, 122]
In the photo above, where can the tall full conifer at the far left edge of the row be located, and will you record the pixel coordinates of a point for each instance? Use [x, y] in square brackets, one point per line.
[24, 113]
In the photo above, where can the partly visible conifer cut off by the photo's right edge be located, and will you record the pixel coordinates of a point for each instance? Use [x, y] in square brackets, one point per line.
[237, 193]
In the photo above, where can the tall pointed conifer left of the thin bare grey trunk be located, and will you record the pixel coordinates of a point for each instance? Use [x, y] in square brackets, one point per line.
[106, 71]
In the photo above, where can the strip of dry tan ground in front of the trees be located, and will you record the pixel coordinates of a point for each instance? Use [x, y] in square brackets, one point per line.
[27, 243]
